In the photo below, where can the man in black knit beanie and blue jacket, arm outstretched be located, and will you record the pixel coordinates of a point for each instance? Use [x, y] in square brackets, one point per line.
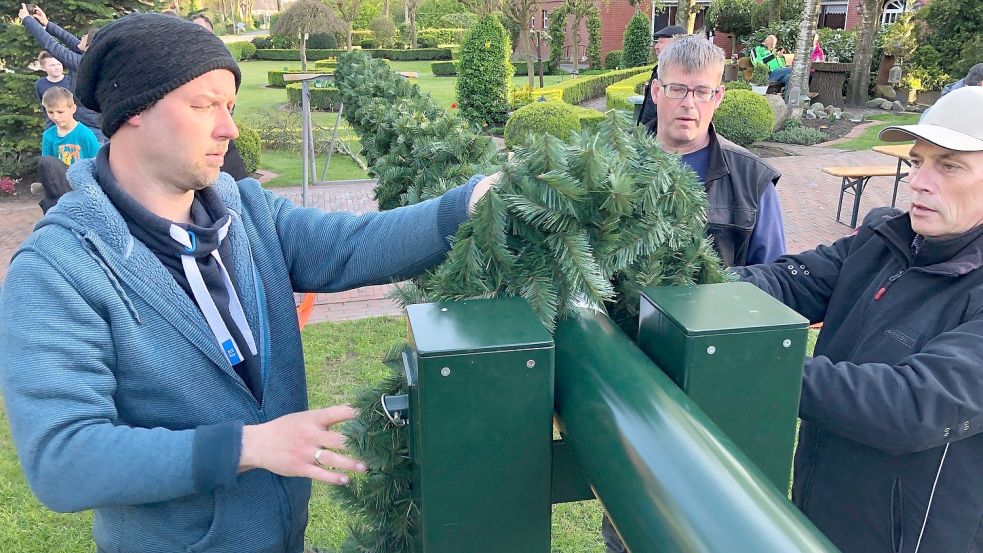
[150, 354]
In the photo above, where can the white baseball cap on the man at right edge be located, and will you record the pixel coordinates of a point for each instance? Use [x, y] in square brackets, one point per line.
[955, 122]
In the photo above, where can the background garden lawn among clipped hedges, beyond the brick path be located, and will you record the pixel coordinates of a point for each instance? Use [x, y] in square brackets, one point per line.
[255, 100]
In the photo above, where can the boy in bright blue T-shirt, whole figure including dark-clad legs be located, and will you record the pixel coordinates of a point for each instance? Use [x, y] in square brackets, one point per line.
[62, 145]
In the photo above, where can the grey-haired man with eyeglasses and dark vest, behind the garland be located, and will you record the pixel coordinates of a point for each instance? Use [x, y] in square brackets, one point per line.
[744, 216]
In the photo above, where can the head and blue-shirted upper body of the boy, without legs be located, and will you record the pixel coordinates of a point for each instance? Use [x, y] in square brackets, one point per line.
[68, 140]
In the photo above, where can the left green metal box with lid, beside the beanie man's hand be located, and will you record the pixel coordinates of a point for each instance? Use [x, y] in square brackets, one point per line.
[481, 406]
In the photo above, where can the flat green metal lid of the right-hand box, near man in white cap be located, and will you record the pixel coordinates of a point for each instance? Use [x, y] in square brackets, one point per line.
[729, 306]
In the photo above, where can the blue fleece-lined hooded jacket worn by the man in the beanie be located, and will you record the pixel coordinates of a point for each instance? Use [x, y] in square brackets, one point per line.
[118, 397]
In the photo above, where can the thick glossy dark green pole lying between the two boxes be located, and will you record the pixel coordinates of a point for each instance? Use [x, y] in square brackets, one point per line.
[669, 479]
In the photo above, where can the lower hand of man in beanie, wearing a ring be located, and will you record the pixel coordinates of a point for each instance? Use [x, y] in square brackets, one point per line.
[289, 446]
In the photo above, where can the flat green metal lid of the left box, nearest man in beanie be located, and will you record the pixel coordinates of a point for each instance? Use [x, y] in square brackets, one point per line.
[474, 326]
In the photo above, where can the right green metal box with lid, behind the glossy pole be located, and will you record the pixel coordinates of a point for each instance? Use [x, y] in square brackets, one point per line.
[738, 354]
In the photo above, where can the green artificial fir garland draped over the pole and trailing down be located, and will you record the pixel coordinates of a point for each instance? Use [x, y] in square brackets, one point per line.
[590, 220]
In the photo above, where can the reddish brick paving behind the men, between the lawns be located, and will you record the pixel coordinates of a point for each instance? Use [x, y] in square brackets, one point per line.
[808, 197]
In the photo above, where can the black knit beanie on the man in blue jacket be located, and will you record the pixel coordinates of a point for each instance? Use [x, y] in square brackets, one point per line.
[136, 60]
